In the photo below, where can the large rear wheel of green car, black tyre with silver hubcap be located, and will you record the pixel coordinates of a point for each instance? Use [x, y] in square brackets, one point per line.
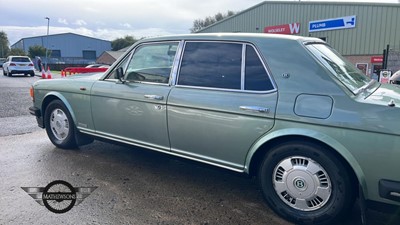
[306, 184]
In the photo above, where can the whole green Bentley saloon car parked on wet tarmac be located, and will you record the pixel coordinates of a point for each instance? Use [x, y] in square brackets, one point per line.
[290, 110]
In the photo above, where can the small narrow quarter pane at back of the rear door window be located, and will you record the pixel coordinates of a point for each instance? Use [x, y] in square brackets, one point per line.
[256, 77]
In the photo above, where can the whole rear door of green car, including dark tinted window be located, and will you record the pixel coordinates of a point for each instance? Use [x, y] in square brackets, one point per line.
[223, 101]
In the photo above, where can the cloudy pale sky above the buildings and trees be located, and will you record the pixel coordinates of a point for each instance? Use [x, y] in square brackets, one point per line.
[110, 19]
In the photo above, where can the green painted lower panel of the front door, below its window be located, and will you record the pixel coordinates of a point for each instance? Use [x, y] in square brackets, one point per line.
[139, 119]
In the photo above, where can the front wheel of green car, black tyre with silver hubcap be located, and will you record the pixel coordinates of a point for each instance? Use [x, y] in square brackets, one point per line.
[59, 125]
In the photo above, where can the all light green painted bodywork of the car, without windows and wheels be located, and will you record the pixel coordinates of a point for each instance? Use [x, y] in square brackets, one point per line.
[207, 125]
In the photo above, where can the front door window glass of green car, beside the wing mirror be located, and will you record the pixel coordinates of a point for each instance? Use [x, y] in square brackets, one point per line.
[152, 63]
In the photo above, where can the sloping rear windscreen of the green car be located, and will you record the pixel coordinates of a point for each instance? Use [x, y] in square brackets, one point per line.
[343, 70]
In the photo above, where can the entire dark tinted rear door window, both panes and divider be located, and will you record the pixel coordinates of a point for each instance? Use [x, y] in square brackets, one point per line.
[221, 65]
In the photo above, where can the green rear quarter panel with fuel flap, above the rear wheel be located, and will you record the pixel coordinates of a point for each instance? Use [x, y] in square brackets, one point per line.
[355, 129]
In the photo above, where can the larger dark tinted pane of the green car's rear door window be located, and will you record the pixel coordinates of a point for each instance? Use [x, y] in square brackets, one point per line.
[211, 64]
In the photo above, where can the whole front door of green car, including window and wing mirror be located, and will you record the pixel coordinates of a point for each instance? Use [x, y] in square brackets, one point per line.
[134, 111]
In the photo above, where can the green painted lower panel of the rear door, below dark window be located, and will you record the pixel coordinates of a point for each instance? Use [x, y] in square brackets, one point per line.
[202, 125]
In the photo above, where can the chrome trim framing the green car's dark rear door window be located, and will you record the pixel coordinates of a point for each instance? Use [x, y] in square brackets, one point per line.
[243, 68]
